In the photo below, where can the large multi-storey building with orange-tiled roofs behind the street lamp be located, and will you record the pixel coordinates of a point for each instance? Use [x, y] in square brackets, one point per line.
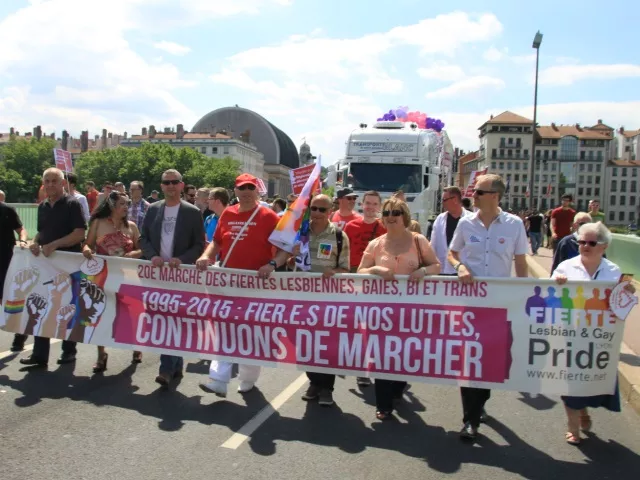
[568, 159]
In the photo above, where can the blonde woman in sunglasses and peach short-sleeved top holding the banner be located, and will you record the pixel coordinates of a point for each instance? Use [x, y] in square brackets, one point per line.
[398, 252]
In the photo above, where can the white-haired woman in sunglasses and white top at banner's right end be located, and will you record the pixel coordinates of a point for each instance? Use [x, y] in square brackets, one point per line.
[590, 264]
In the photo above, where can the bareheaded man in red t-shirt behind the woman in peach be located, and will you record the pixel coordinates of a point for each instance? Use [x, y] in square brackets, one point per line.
[364, 229]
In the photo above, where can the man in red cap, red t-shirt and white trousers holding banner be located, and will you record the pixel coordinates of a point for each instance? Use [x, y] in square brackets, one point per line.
[242, 240]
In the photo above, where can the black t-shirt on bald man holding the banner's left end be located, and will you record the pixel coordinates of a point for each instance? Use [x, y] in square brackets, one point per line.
[59, 220]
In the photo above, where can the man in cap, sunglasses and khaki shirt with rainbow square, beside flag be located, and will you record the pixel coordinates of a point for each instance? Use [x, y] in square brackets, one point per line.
[328, 257]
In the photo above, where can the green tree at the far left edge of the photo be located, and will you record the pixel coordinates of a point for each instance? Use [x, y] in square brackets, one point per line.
[22, 162]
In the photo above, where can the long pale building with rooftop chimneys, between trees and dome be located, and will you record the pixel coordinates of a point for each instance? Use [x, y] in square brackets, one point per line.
[213, 145]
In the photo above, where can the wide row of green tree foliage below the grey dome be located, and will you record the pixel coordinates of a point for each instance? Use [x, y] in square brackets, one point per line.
[147, 163]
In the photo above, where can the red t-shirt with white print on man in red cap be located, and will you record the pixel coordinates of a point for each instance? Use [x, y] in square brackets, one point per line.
[253, 249]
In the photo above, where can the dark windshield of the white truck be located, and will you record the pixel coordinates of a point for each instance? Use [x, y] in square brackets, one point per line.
[385, 177]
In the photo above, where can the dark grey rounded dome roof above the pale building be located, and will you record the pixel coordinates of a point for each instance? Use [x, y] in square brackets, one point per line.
[273, 143]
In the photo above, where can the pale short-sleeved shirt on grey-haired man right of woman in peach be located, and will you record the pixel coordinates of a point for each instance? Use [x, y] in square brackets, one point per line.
[490, 252]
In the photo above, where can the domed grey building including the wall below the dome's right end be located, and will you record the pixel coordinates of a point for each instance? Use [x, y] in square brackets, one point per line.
[280, 153]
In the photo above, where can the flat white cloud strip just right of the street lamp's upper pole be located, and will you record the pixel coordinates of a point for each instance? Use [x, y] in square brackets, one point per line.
[570, 74]
